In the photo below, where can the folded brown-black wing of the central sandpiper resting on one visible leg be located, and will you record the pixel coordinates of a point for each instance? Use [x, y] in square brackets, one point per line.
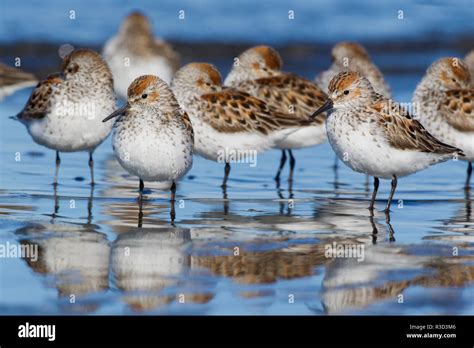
[232, 111]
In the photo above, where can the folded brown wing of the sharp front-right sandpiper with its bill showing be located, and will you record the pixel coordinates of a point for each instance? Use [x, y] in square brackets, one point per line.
[405, 133]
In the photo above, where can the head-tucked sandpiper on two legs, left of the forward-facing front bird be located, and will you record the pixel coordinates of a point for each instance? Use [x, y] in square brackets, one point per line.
[65, 110]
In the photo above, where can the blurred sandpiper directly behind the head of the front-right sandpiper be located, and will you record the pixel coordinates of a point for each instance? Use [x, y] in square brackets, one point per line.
[350, 56]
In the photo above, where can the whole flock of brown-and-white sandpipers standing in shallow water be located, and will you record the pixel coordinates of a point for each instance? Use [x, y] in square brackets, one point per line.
[172, 113]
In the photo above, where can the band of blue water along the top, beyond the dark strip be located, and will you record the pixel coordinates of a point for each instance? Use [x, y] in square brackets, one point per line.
[245, 20]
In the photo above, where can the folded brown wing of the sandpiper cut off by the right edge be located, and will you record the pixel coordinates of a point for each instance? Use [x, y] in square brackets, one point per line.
[457, 109]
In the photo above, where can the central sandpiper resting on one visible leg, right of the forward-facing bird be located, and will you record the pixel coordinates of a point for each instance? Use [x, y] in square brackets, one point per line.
[227, 121]
